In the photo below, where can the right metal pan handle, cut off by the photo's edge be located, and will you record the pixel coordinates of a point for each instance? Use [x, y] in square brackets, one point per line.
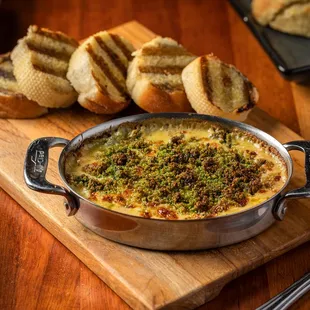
[302, 192]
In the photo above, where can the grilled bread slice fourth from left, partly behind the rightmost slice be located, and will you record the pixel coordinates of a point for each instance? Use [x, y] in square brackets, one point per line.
[154, 76]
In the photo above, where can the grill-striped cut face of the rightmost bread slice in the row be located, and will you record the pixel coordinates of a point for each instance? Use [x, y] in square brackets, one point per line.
[224, 86]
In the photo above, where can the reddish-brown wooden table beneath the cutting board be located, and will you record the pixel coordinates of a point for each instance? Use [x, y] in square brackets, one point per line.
[36, 271]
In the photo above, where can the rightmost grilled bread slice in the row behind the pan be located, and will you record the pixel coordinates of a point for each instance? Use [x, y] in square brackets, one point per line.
[219, 89]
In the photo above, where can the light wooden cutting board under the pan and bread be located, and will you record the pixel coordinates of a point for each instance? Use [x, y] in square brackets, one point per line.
[145, 279]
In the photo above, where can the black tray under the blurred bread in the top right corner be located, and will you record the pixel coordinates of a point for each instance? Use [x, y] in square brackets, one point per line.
[290, 54]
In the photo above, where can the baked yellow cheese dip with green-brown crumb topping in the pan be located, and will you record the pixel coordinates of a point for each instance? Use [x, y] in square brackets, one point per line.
[175, 169]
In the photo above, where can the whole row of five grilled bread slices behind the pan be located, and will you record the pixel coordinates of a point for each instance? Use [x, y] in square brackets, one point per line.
[51, 70]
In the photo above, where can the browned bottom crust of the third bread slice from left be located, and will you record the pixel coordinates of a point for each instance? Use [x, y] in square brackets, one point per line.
[102, 104]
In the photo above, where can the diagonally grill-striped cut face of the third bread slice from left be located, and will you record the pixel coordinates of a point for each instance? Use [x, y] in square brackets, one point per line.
[110, 56]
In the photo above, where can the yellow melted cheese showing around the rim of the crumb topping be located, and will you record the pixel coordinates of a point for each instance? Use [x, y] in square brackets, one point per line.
[163, 136]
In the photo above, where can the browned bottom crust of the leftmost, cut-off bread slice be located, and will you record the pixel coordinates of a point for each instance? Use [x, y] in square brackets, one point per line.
[18, 106]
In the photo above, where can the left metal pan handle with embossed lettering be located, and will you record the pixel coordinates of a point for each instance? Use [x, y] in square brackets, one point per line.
[35, 168]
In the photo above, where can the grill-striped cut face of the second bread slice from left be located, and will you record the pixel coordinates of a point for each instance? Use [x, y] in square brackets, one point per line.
[51, 51]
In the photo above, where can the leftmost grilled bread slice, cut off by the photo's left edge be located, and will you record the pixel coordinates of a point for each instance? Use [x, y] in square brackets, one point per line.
[13, 104]
